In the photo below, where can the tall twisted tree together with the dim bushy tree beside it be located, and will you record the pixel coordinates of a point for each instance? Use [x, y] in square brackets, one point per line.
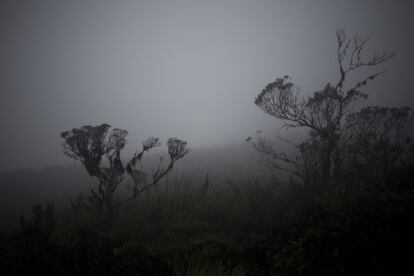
[336, 136]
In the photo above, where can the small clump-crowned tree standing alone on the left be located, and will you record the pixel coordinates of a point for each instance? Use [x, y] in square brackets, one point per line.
[99, 150]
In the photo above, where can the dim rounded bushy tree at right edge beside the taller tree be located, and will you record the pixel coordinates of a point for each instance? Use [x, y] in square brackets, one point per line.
[380, 138]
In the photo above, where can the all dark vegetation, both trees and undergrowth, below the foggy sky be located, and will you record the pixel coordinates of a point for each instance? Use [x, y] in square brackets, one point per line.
[345, 207]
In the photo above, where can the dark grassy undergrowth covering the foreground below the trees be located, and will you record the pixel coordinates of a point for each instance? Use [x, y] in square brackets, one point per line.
[253, 228]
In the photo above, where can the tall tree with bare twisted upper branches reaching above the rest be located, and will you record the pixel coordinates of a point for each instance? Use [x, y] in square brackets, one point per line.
[323, 113]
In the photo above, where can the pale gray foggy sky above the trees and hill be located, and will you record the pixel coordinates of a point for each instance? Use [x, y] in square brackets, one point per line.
[175, 68]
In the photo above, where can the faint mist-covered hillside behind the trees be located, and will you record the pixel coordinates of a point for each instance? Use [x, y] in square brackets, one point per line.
[21, 189]
